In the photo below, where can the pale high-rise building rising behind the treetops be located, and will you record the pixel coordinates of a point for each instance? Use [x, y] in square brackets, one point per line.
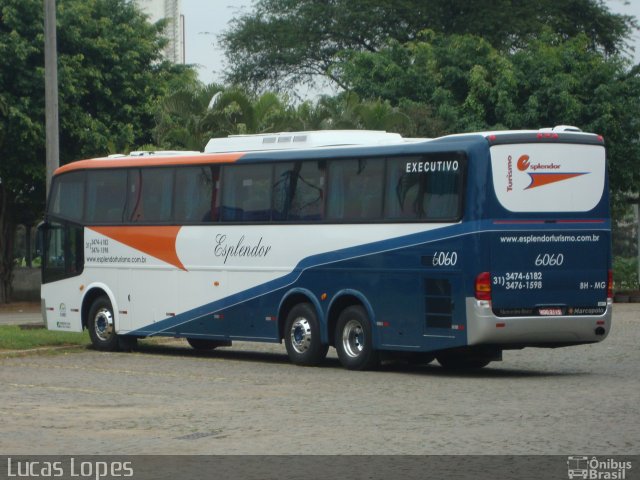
[174, 32]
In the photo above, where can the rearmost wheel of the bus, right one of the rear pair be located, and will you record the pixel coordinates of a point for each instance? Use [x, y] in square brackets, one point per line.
[354, 340]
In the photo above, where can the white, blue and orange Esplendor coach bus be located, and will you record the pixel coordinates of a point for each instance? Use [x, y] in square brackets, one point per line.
[454, 248]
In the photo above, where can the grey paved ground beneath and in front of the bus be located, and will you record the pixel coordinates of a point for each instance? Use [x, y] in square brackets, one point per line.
[249, 400]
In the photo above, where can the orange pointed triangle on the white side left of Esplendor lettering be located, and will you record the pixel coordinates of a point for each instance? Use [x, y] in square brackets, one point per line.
[158, 242]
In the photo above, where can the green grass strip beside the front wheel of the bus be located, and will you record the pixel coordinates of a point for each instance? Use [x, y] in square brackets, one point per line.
[13, 337]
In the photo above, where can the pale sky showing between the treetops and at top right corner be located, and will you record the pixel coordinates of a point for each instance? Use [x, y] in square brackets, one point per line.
[206, 19]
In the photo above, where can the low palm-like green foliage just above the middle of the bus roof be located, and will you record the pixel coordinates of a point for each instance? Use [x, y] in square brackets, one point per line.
[192, 115]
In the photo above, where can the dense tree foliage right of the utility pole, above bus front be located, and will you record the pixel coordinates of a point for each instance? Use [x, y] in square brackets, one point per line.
[111, 77]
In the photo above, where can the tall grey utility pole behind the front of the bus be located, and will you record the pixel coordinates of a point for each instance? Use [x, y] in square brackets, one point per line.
[51, 90]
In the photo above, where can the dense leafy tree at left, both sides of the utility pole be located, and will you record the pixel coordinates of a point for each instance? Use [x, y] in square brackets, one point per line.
[110, 79]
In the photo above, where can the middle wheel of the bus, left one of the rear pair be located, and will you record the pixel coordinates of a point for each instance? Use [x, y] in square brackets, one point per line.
[302, 336]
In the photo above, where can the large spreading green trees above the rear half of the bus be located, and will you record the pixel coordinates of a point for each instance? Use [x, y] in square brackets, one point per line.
[456, 65]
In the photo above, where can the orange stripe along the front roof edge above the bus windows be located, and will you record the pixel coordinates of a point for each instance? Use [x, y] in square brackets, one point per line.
[150, 161]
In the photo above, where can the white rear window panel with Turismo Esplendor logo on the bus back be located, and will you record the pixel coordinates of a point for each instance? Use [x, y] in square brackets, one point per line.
[548, 177]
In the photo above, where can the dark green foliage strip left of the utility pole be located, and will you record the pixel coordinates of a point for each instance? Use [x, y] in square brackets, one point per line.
[21, 121]
